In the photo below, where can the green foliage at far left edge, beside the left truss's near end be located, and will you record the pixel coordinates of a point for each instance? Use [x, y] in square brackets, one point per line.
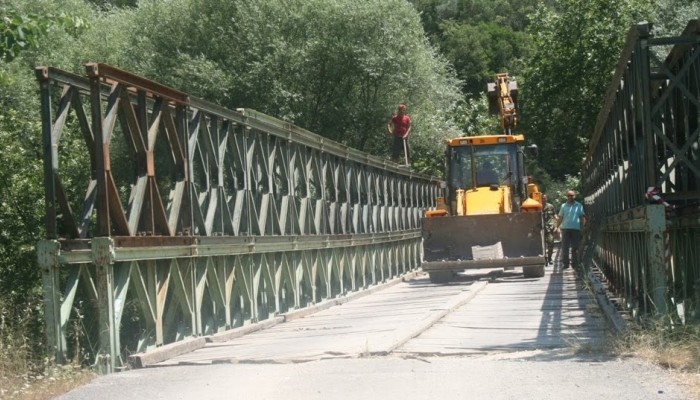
[26, 31]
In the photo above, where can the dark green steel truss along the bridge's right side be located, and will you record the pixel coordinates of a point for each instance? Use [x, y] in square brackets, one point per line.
[642, 176]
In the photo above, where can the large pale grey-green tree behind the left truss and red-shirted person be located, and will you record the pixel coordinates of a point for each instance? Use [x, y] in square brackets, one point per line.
[337, 68]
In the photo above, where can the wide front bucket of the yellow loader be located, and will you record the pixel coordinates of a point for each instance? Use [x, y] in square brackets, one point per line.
[483, 241]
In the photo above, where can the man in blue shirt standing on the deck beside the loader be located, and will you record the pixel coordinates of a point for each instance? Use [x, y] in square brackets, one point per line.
[572, 218]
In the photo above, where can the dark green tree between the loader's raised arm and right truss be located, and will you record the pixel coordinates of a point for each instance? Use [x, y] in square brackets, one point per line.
[577, 45]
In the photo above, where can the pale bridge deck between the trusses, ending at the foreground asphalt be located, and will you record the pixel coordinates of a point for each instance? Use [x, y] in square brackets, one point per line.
[482, 312]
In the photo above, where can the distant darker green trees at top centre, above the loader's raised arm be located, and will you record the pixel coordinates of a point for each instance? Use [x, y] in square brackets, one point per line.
[479, 38]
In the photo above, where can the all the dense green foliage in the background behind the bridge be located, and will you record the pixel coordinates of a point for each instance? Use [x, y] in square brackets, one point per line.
[335, 67]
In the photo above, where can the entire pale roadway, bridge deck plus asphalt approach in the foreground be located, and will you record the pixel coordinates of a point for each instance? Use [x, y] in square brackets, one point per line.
[490, 334]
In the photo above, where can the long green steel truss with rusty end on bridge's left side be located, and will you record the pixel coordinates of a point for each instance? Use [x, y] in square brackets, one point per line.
[169, 217]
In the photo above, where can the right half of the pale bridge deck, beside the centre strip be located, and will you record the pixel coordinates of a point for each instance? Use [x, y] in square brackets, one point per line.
[520, 317]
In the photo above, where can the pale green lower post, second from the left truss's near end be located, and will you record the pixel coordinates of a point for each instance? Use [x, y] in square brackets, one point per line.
[103, 257]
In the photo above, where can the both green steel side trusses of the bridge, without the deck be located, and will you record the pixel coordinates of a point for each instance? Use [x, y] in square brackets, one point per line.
[170, 218]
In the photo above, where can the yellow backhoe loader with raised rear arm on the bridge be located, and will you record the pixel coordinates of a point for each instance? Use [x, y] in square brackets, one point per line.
[491, 212]
